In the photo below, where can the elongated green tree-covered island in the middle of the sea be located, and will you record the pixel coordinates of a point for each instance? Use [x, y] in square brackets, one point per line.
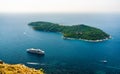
[80, 31]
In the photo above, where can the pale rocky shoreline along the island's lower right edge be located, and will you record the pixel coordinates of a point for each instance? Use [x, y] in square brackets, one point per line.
[101, 40]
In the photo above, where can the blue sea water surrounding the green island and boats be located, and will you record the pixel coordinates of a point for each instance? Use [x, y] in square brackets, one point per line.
[61, 56]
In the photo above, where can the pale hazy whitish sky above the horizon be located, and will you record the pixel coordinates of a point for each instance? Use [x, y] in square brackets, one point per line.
[60, 6]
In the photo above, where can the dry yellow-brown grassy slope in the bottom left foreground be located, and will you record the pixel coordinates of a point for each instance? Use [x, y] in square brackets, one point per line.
[17, 69]
